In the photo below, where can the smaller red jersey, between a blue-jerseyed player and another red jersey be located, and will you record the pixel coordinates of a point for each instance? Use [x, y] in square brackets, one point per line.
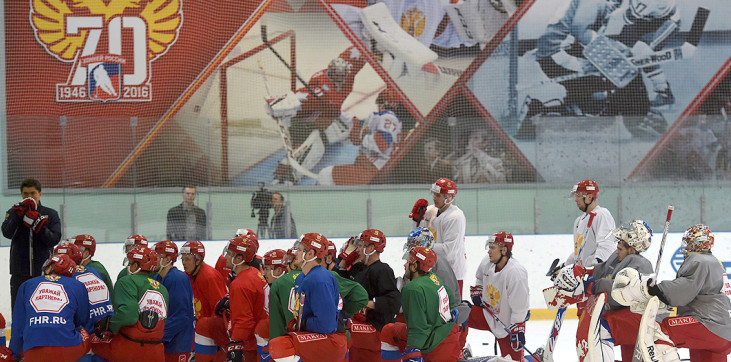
[208, 288]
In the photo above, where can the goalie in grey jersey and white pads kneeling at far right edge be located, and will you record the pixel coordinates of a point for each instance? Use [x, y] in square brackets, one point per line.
[703, 322]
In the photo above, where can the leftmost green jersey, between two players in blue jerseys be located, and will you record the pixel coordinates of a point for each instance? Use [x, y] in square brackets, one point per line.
[134, 293]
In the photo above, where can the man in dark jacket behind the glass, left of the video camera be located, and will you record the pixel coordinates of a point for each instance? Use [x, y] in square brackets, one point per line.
[187, 221]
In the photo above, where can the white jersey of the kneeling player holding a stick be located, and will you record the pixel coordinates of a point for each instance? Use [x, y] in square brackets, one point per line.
[506, 292]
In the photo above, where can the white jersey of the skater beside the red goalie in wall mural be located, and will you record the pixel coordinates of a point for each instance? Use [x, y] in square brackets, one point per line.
[379, 137]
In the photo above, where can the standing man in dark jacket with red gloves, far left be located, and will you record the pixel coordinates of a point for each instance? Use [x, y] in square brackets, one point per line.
[33, 230]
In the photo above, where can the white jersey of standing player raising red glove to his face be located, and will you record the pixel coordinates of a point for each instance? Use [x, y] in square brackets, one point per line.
[449, 229]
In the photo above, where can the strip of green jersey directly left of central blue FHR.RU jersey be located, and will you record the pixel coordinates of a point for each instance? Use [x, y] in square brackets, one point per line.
[280, 310]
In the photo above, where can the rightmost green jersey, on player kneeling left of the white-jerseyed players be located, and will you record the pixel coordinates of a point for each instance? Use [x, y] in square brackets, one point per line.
[427, 305]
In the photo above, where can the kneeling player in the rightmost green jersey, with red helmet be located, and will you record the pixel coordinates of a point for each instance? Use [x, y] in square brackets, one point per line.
[429, 332]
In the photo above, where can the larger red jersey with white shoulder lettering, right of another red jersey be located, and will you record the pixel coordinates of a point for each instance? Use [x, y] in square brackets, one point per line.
[248, 297]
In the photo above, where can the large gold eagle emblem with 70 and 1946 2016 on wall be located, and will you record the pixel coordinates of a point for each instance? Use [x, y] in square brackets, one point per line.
[111, 43]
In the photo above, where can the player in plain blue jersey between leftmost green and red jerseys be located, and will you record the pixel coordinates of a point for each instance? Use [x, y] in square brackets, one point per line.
[179, 326]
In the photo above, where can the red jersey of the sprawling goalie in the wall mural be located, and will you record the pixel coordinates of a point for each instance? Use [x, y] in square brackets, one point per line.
[326, 106]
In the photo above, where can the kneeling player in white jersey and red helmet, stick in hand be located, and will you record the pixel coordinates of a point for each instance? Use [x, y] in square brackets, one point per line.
[502, 287]
